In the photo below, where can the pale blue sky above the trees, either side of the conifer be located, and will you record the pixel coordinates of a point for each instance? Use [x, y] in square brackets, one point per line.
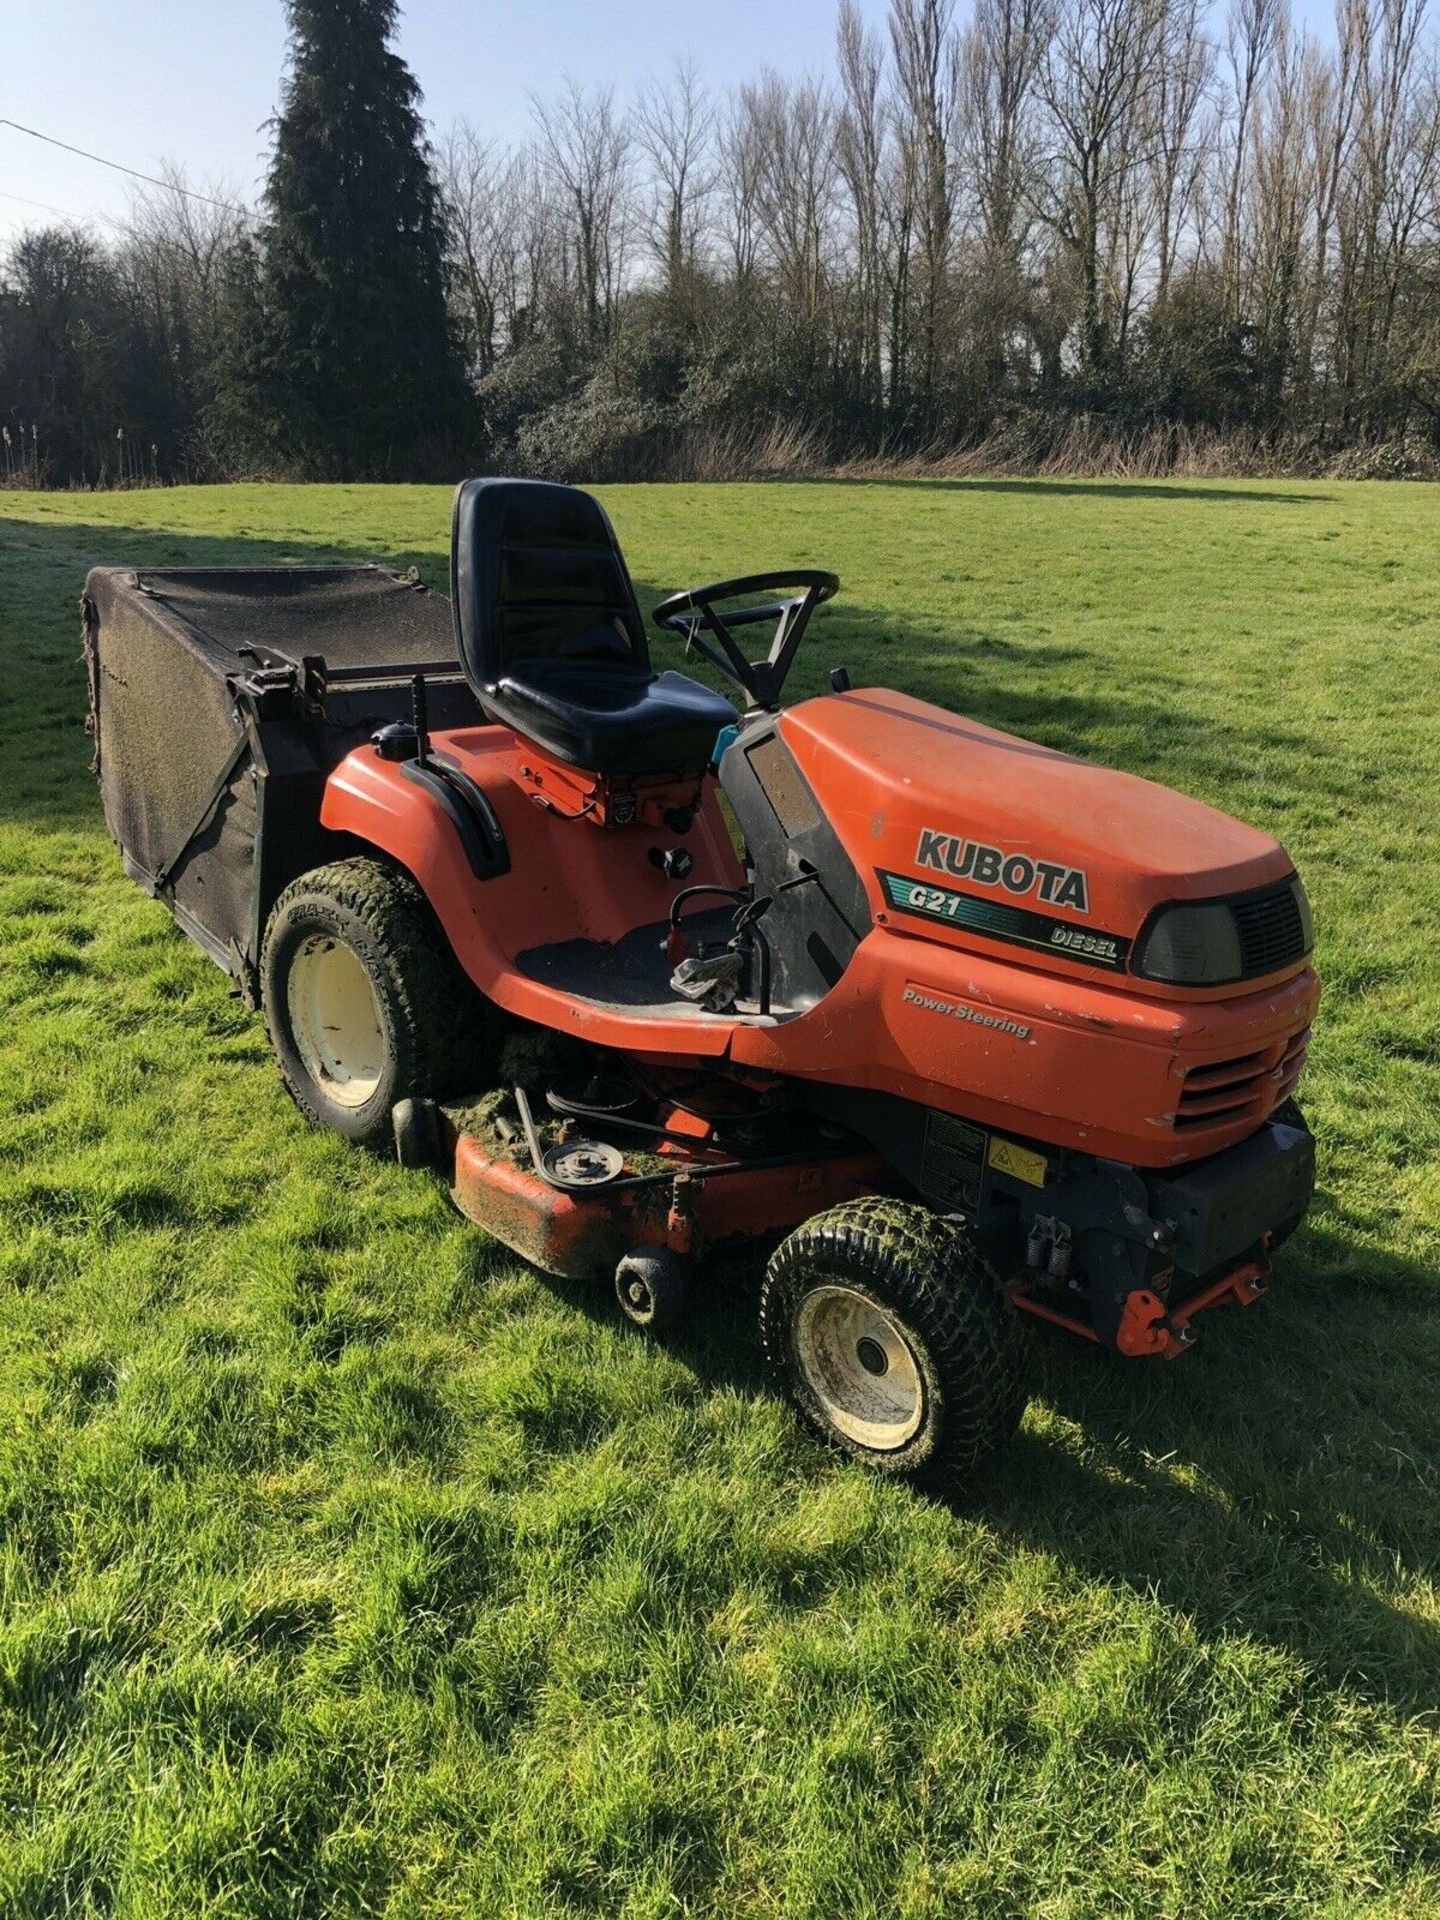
[149, 80]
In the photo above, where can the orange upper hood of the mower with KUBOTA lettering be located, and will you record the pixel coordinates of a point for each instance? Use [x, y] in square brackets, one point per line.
[923, 796]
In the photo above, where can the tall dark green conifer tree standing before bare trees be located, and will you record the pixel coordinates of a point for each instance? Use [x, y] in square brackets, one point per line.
[356, 364]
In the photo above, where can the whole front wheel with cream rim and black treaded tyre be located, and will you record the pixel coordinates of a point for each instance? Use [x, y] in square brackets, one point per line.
[890, 1333]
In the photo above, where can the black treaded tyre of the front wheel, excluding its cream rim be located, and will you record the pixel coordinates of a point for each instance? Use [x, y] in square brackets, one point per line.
[924, 1276]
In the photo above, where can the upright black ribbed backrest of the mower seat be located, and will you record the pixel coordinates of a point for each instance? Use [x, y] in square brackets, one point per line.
[537, 575]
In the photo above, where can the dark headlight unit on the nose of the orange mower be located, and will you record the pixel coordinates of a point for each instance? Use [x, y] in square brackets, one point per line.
[1212, 944]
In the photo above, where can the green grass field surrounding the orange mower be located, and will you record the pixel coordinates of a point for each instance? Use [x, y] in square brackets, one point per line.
[348, 1568]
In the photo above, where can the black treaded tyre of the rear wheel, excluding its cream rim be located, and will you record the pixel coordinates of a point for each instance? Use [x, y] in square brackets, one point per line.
[437, 1032]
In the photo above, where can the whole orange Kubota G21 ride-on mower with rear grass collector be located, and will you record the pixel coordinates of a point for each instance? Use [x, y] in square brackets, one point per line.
[974, 1030]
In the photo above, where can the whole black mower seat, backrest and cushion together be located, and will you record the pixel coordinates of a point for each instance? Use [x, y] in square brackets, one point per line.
[552, 642]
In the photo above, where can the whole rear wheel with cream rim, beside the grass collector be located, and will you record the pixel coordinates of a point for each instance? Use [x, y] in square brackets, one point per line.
[364, 999]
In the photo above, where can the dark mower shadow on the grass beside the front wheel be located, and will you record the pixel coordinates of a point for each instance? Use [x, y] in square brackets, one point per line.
[1245, 1489]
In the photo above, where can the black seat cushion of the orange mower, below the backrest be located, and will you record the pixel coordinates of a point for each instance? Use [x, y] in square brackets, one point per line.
[612, 717]
